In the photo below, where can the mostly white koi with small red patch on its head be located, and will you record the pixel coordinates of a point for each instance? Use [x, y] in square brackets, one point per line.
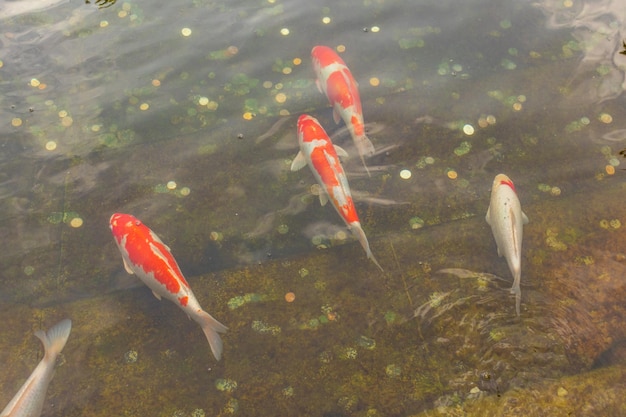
[506, 218]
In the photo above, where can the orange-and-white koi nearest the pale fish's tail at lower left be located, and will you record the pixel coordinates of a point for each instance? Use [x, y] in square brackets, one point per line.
[147, 256]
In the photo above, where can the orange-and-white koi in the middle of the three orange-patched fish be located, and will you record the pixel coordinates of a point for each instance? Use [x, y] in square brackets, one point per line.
[318, 152]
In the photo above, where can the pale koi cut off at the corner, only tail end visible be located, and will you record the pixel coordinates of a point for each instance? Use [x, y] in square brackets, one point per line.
[28, 402]
